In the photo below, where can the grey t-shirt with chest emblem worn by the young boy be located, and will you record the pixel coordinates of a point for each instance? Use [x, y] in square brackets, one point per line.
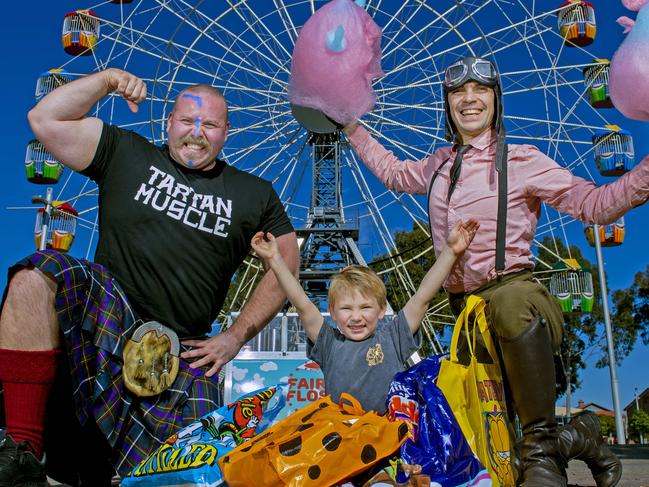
[365, 368]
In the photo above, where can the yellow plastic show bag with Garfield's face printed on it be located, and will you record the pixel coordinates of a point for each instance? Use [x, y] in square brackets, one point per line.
[475, 393]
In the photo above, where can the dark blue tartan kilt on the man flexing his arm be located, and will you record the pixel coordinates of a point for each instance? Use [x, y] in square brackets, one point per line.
[96, 321]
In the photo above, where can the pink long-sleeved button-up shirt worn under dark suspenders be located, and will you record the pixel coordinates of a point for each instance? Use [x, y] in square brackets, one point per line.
[533, 177]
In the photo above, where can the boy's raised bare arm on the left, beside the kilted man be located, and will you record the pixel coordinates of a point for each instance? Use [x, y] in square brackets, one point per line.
[267, 250]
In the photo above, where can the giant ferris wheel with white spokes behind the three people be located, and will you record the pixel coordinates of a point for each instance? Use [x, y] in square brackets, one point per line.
[243, 47]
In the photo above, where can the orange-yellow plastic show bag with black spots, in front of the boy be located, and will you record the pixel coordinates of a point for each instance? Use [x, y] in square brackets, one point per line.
[321, 444]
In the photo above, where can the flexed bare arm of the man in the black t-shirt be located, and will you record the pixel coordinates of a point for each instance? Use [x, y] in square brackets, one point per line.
[60, 122]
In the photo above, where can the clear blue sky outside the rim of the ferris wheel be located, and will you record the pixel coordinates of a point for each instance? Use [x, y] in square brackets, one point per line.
[31, 44]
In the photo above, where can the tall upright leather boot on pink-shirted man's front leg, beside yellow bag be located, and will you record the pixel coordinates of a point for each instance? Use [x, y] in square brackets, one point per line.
[529, 368]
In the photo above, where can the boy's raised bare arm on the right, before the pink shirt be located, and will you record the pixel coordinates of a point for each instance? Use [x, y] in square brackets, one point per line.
[457, 242]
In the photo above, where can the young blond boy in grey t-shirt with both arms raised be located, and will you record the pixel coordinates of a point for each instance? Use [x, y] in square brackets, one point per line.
[362, 355]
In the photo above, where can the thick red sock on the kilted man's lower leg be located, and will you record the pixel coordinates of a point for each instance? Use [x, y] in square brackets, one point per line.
[27, 378]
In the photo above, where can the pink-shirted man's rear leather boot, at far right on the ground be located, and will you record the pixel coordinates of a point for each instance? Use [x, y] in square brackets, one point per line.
[581, 439]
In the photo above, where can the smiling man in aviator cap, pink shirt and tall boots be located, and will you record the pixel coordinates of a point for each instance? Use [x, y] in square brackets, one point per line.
[503, 186]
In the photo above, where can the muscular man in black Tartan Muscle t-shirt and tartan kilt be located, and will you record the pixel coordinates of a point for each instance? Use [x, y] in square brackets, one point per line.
[175, 224]
